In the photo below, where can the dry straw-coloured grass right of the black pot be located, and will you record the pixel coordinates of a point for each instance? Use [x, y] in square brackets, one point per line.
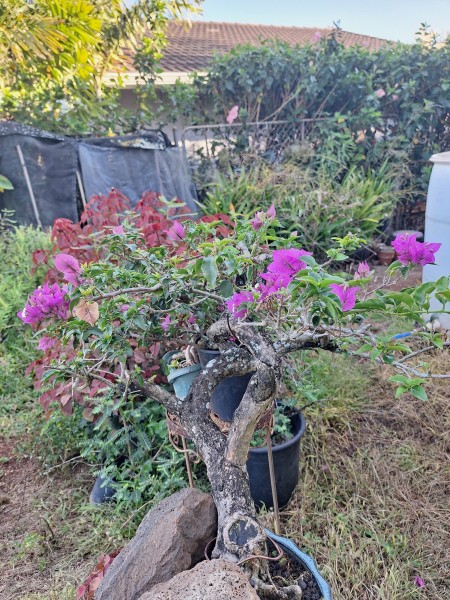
[373, 503]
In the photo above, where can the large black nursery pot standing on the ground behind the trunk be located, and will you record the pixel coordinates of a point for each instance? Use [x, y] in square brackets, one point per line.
[286, 461]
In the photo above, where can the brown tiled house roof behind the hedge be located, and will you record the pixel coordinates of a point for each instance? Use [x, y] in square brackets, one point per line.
[191, 49]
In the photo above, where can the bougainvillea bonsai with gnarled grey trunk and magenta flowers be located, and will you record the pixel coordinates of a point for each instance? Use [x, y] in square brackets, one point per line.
[242, 289]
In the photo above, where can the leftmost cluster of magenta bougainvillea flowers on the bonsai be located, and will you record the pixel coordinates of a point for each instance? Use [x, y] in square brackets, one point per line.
[44, 303]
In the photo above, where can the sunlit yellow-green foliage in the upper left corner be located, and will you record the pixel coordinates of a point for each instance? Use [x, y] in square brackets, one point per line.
[55, 55]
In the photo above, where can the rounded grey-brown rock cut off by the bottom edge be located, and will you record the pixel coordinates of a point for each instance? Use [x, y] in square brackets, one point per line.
[209, 580]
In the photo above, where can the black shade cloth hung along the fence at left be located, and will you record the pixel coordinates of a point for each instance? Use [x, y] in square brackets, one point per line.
[131, 164]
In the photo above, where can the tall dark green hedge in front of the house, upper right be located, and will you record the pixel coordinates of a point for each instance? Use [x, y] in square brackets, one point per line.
[390, 104]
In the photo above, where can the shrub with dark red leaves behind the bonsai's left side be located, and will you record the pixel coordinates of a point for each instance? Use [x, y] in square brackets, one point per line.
[81, 241]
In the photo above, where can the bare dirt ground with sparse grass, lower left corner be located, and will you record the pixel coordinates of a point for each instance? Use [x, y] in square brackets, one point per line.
[35, 522]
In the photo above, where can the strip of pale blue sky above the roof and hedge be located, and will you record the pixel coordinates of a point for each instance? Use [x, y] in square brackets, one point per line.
[390, 19]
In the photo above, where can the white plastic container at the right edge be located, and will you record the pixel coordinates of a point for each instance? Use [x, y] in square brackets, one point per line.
[437, 225]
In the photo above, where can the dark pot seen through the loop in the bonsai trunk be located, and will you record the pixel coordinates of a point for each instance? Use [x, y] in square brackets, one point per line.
[229, 393]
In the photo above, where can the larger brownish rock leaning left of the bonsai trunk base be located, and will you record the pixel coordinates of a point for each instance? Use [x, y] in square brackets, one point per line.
[170, 539]
